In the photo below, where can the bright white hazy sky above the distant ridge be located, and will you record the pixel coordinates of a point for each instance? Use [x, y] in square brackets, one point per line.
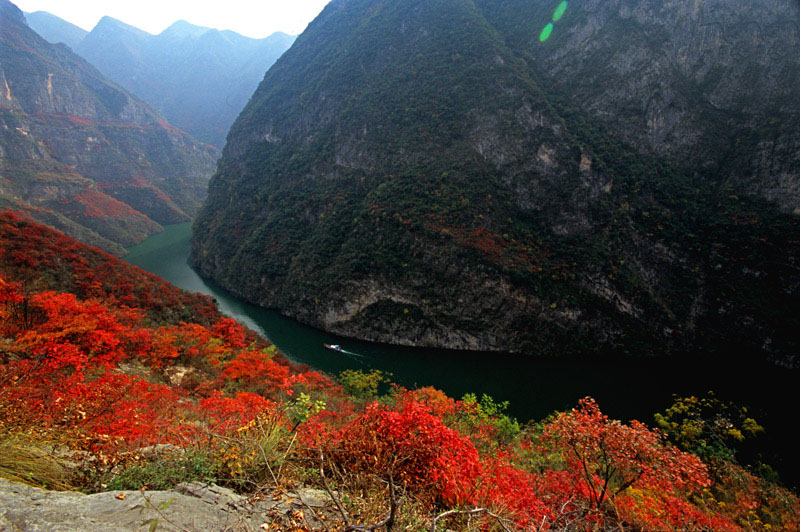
[254, 18]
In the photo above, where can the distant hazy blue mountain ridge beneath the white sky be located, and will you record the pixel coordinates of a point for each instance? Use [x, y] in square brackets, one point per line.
[199, 78]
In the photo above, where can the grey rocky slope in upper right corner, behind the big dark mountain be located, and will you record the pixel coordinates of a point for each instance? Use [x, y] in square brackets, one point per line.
[712, 84]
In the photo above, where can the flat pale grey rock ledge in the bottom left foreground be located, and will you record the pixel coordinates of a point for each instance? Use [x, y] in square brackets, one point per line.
[191, 506]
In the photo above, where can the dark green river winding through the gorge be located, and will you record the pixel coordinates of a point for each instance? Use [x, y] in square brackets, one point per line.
[625, 388]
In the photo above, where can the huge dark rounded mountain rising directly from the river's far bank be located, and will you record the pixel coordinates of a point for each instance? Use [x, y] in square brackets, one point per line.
[408, 173]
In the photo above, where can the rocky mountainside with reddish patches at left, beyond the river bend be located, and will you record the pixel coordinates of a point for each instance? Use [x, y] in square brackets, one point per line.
[80, 153]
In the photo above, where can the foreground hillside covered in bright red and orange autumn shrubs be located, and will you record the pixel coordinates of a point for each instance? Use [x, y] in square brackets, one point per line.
[101, 364]
